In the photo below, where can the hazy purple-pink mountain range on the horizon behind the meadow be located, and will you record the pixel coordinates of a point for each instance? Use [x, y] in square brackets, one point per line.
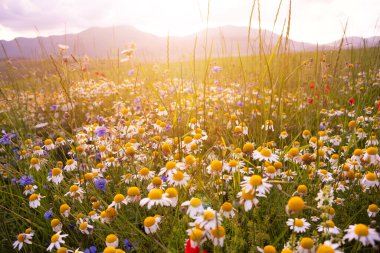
[107, 42]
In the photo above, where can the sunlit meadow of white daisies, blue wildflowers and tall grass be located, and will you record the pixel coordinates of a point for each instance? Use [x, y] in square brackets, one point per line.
[275, 152]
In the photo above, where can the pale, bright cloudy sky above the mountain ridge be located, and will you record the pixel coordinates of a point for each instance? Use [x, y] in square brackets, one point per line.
[314, 21]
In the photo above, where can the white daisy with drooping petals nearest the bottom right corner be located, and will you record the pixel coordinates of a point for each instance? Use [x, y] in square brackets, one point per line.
[362, 233]
